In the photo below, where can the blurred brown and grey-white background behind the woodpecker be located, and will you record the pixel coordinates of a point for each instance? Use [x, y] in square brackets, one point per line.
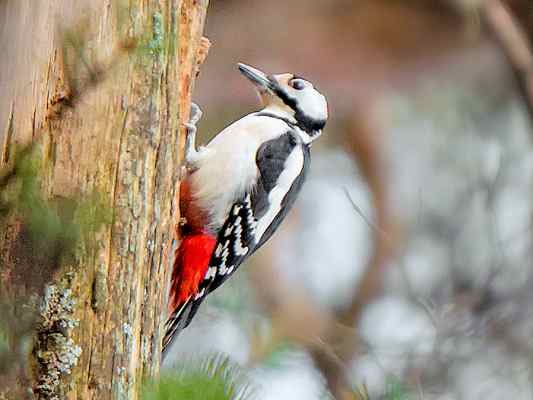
[406, 263]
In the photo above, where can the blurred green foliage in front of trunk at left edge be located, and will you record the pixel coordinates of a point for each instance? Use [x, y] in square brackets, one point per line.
[55, 225]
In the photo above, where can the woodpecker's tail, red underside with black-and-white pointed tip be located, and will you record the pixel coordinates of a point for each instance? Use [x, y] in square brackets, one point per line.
[190, 263]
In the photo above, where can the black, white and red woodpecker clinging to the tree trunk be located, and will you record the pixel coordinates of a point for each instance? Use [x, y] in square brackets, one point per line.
[238, 188]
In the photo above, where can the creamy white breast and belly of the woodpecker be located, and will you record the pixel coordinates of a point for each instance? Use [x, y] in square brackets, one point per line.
[227, 166]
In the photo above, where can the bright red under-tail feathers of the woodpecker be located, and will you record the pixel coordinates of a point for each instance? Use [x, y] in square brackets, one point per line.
[191, 261]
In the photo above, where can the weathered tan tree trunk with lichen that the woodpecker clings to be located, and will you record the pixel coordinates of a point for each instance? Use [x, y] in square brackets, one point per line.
[99, 92]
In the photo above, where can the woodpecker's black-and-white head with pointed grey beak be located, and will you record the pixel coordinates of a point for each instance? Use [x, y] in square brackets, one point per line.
[291, 97]
